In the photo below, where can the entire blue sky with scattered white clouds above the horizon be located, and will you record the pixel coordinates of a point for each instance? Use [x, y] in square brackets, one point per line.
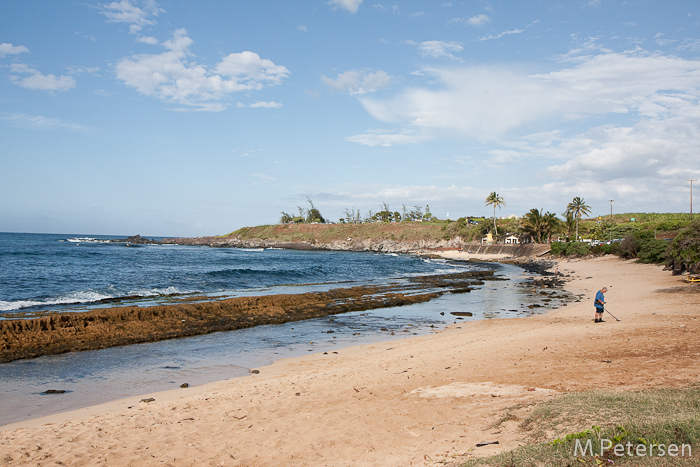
[182, 118]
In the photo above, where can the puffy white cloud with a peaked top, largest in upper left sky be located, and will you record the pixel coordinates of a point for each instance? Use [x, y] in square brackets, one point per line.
[171, 77]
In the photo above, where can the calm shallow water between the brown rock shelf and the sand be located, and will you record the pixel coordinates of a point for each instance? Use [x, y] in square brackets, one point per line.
[94, 377]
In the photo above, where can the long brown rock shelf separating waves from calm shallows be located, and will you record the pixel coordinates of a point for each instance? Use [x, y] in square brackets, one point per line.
[111, 327]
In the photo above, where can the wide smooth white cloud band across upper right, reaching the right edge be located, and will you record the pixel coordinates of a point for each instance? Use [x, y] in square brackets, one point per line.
[488, 102]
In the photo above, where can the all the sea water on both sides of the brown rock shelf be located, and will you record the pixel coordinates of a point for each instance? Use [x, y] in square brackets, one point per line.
[61, 273]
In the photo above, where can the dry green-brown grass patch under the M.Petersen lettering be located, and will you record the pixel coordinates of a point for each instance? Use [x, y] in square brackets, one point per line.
[640, 423]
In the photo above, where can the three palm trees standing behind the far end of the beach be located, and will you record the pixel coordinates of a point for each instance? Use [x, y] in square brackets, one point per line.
[541, 226]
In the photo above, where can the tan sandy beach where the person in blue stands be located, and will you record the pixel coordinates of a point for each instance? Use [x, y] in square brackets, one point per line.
[419, 401]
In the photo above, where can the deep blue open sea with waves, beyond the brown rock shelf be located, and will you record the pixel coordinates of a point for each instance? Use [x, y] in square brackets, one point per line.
[71, 272]
